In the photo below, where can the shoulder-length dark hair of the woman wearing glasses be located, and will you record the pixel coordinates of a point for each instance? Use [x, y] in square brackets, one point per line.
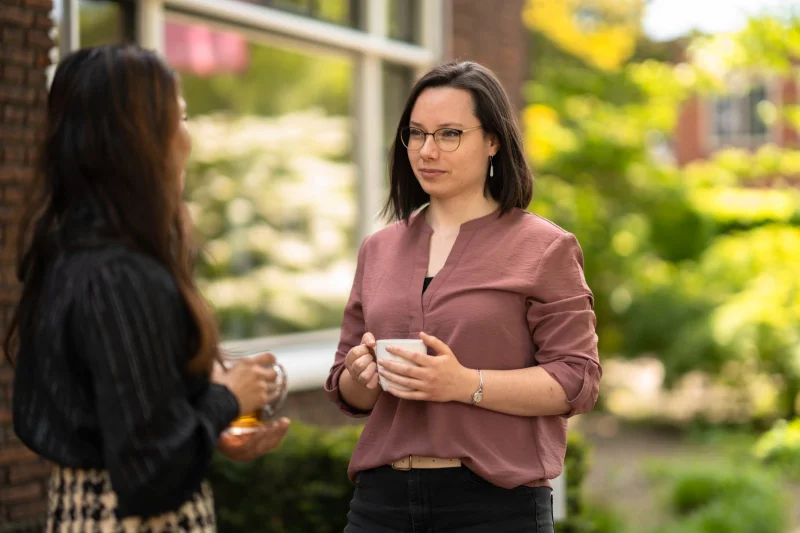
[512, 183]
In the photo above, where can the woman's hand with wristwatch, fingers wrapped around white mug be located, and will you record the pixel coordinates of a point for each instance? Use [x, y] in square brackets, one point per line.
[438, 378]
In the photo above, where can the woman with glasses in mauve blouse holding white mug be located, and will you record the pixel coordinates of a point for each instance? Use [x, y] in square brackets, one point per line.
[477, 427]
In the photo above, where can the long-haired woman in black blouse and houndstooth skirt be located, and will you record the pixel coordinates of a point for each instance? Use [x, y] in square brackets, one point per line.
[116, 380]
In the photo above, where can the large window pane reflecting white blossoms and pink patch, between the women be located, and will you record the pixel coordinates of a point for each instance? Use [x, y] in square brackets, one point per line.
[271, 180]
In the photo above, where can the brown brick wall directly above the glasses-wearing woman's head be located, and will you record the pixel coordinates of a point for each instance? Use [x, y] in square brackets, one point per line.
[491, 33]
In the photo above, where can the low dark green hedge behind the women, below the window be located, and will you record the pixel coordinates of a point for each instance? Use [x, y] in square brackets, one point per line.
[303, 486]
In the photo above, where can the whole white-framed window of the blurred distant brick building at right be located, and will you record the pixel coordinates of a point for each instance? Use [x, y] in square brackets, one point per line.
[740, 118]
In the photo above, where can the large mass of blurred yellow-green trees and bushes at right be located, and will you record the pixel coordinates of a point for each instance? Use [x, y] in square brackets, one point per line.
[699, 264]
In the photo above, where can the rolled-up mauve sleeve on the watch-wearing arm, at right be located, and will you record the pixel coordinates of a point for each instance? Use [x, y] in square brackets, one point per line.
[563, 324]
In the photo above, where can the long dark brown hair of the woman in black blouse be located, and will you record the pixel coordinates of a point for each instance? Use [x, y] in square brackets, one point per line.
[112, 115]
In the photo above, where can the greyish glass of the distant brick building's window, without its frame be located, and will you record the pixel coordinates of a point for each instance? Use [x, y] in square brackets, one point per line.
[736, 120]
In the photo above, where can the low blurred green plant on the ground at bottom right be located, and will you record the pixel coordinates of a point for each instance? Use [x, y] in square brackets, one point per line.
[723, 498]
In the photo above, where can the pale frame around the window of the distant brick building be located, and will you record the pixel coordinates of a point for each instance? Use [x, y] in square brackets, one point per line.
[745, 81]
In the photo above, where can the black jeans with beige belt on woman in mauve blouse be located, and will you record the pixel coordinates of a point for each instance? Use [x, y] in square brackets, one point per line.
[445, 500]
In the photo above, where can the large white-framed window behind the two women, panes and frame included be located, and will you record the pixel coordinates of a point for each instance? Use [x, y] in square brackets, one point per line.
[292, 104]
